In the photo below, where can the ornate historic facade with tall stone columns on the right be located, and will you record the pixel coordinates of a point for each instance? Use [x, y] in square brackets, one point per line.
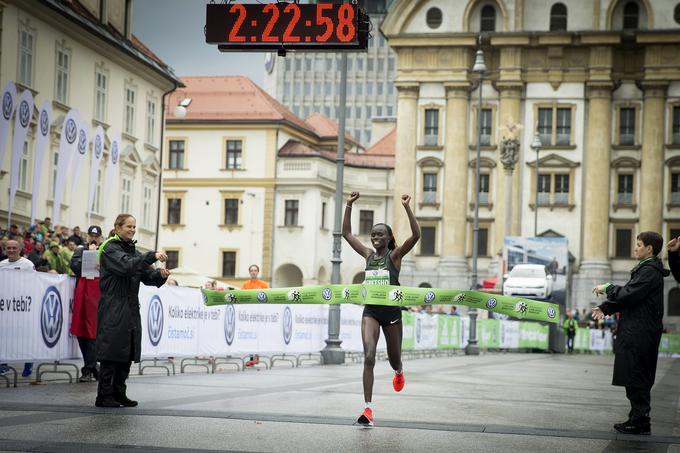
[599, 80]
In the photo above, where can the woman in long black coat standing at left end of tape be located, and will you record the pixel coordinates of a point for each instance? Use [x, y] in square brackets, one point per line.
[119, 328]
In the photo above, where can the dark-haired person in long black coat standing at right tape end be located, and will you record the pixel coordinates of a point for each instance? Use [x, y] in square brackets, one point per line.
[640, 304]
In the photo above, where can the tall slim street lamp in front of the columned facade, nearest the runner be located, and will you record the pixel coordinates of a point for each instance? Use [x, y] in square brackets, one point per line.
[479, 67]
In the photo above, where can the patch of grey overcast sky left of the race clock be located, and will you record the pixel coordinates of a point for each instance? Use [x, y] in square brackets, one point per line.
[173, 30]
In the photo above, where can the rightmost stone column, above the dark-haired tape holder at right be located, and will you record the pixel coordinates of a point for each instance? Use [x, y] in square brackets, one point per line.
[651, 169]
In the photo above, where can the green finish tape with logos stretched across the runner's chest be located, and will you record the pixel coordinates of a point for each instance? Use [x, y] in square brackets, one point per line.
[387, 295]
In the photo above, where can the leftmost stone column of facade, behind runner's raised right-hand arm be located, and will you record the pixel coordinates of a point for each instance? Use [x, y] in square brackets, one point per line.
[405, 168]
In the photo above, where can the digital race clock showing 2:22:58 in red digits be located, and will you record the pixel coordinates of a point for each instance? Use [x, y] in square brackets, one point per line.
[271, 26]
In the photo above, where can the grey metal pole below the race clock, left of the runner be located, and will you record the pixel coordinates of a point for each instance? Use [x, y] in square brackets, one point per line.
[333, 353]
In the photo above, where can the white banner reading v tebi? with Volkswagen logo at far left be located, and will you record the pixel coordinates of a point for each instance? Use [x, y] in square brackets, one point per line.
[35, 316]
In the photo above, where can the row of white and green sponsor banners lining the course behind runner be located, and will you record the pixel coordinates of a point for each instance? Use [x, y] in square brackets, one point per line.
[35, 314]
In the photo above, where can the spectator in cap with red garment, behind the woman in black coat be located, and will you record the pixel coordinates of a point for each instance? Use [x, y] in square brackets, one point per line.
[85, 305]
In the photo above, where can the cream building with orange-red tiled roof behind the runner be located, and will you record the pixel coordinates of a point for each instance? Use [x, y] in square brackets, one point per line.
[246, 182]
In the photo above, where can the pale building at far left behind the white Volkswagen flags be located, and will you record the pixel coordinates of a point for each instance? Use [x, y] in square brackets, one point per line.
[81, 55]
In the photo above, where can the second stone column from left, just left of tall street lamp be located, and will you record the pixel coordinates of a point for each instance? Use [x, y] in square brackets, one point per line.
[453, 267]
